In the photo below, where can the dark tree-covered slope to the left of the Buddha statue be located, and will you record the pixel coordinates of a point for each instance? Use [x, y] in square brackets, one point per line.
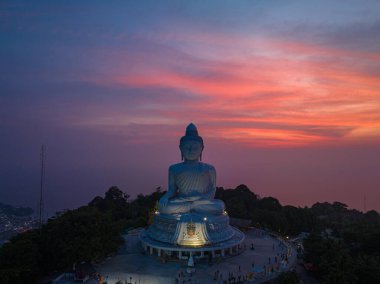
[88, 233]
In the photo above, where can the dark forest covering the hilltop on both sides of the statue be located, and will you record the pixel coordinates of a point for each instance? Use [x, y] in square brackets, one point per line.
[93, 232]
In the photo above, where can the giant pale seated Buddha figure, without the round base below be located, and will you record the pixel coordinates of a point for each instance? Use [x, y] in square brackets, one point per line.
[191, 186]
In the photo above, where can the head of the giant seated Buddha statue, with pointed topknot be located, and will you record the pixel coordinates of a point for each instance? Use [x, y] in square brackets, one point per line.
[191, 145]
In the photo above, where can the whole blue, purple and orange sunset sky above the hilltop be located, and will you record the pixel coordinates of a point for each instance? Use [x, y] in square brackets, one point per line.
[286, 95]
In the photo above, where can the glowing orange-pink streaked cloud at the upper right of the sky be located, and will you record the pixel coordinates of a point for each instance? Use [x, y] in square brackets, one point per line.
[309, 94]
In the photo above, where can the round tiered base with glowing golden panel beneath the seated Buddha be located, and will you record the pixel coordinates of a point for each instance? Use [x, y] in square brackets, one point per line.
[191, 235]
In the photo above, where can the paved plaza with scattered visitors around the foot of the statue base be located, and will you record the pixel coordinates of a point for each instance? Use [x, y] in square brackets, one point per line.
[132, 265]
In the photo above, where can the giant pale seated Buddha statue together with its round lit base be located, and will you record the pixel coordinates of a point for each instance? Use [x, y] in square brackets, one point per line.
[189, 219]
